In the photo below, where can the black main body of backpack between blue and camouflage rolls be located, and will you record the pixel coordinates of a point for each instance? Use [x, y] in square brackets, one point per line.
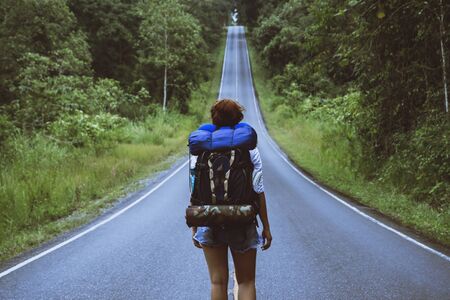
[224, 178]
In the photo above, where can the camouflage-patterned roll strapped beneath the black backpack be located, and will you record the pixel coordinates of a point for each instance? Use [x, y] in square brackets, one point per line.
[218, 215]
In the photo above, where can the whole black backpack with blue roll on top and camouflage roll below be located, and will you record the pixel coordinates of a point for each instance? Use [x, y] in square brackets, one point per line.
[222, 193]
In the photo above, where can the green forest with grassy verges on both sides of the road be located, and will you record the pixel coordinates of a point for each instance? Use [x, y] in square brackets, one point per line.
[96, 94]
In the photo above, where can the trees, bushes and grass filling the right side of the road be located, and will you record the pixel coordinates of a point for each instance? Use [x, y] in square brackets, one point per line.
[355, 94]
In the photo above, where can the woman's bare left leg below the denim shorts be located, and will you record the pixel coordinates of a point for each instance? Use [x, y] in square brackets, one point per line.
[217, 260]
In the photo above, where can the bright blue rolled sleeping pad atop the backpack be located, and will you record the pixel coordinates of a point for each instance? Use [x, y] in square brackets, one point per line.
[209, 137]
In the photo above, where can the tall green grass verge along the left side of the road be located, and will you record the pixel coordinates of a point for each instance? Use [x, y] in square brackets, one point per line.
[55, 194]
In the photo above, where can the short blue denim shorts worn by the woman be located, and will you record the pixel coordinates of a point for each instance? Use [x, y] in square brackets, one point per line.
[238, 239]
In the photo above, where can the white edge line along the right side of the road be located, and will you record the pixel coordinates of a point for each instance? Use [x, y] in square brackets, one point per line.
[284, 157]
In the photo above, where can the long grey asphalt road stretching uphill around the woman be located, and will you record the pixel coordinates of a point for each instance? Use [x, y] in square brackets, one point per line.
[322, 248]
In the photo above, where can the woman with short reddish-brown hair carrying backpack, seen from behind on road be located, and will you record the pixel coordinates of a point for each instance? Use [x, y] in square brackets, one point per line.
[219, 149]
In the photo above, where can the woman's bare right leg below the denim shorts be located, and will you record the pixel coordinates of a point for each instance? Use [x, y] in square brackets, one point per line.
[244, 266]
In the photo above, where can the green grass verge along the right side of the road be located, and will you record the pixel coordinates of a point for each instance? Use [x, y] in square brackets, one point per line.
[302, 139]
